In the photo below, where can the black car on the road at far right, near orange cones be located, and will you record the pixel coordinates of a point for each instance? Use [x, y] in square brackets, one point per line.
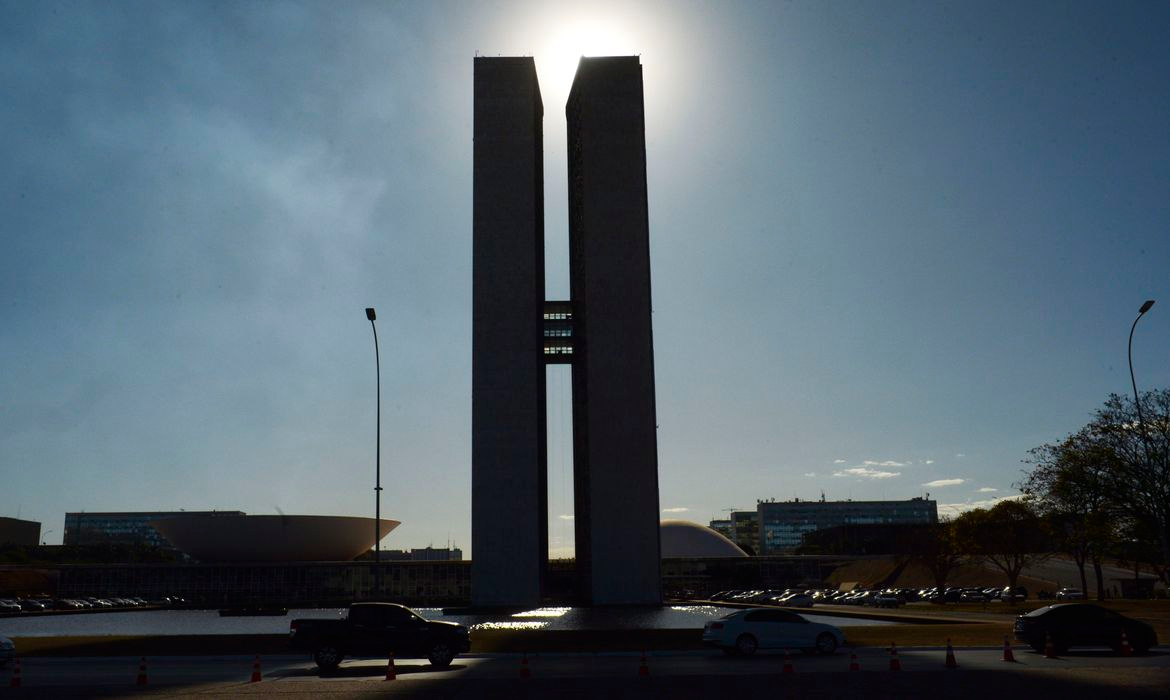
[1083, 624]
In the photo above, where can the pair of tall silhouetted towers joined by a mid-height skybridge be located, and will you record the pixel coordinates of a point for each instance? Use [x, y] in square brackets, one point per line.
[603, 332]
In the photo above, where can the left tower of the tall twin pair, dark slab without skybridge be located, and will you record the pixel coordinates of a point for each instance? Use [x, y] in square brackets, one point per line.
[510, 483]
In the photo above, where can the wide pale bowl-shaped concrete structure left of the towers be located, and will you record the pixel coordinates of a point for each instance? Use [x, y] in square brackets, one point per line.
[272, 538]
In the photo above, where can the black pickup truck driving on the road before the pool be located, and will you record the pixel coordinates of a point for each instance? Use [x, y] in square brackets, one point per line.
[378, 630]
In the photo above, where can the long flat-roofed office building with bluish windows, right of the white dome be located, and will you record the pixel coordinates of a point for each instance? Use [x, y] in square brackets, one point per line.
[783, 525]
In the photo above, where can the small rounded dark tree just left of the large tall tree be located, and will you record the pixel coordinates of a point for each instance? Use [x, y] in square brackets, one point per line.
[1009, 537]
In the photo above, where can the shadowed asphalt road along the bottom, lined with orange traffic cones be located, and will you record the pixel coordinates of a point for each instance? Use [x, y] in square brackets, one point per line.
[611, 677]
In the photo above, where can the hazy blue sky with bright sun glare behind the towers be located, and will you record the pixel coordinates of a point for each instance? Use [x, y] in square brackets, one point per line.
[894, 246]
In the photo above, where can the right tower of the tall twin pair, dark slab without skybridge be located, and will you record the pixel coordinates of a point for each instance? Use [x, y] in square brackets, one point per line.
[615, 426]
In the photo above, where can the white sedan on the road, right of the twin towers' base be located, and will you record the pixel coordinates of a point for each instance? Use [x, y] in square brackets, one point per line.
[745, 632]
